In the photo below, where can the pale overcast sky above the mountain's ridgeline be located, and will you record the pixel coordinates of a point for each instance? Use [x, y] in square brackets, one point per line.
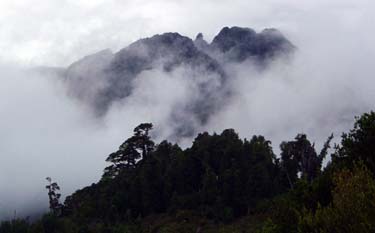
[57, 32]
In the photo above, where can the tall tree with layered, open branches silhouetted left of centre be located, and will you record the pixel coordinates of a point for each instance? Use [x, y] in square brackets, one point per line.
[133, 149]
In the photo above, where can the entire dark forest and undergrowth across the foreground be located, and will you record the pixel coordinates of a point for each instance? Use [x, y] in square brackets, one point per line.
[223, 184]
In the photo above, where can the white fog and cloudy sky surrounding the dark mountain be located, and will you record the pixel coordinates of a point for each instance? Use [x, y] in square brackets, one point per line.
[43, 132]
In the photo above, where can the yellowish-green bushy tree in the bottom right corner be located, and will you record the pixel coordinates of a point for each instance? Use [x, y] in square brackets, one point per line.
[353, 206]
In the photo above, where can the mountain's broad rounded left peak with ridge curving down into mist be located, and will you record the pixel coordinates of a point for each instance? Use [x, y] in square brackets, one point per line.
[167, 52]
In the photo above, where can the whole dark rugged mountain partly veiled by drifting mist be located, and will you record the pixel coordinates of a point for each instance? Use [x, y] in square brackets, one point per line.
[104, 78]
